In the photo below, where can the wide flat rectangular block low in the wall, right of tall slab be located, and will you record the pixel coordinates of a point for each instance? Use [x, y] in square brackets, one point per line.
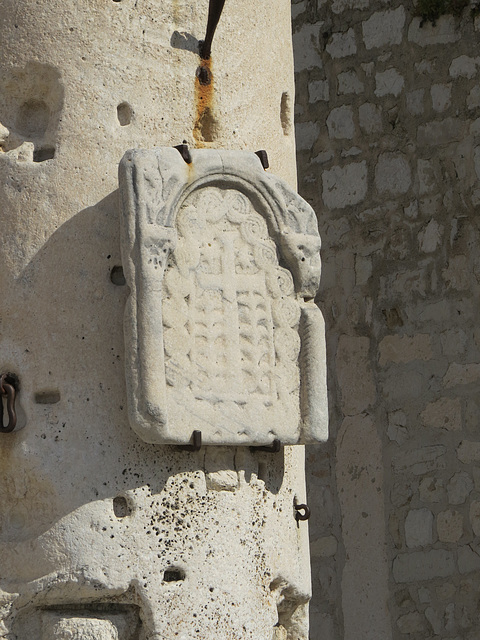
[423, 565]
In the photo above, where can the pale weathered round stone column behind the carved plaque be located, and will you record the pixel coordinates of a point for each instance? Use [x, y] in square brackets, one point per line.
[101, 534]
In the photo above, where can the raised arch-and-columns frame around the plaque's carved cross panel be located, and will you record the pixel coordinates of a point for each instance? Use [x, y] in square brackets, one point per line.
[153, 186]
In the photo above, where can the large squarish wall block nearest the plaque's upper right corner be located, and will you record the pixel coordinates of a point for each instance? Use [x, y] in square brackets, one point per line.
[344, 186]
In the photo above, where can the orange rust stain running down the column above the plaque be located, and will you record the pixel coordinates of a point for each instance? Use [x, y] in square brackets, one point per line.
[205, 127]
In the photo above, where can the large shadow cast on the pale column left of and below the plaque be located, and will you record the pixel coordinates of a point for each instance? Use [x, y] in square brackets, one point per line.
[71, 301]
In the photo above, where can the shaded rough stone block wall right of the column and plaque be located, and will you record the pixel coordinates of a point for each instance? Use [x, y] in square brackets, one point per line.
[388, 140]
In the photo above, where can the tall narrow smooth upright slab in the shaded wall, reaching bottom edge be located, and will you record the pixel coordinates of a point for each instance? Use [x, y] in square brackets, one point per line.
[359, 472]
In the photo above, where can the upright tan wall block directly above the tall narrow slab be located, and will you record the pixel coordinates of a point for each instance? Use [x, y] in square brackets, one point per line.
[354, 374]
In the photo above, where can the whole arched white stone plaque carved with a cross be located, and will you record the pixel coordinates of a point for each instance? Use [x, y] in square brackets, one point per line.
[222, 334]
